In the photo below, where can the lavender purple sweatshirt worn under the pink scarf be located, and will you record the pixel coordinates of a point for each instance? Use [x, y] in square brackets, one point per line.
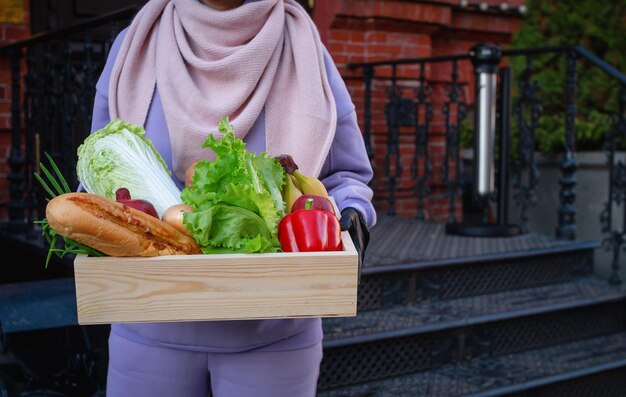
[346, 173]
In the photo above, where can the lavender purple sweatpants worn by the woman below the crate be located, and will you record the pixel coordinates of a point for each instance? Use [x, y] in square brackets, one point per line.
[139, 370]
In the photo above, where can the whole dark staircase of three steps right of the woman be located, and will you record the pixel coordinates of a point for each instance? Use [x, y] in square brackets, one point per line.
[445, 315]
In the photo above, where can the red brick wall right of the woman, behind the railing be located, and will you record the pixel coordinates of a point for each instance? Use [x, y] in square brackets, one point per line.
[372, 30]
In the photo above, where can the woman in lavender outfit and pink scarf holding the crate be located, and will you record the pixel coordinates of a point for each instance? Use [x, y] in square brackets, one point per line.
[180, 67]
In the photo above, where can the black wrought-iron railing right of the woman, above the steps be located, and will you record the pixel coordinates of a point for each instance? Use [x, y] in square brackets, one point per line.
[414, 113]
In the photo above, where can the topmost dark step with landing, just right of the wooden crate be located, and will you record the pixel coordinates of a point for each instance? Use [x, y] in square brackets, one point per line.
[410, 261]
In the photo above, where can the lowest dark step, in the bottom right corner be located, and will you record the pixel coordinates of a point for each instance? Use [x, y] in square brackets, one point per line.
[594, 366]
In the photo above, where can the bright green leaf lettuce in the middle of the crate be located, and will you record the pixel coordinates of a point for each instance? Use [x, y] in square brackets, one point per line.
[236, 198]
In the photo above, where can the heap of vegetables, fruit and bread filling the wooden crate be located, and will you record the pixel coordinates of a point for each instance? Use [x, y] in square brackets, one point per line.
[232, 204]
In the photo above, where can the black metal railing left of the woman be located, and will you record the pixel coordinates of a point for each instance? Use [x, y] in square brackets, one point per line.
[53, 79]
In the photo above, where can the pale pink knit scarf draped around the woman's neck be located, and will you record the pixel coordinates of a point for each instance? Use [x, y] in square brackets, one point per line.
[210, 64]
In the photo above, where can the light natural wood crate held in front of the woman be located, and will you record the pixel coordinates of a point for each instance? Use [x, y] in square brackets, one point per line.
[217, 287]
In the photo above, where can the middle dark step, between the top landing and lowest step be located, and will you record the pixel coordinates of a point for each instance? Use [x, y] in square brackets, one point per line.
[405, 339]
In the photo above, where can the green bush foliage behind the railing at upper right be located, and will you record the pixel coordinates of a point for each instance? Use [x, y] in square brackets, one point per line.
[596, 25]
